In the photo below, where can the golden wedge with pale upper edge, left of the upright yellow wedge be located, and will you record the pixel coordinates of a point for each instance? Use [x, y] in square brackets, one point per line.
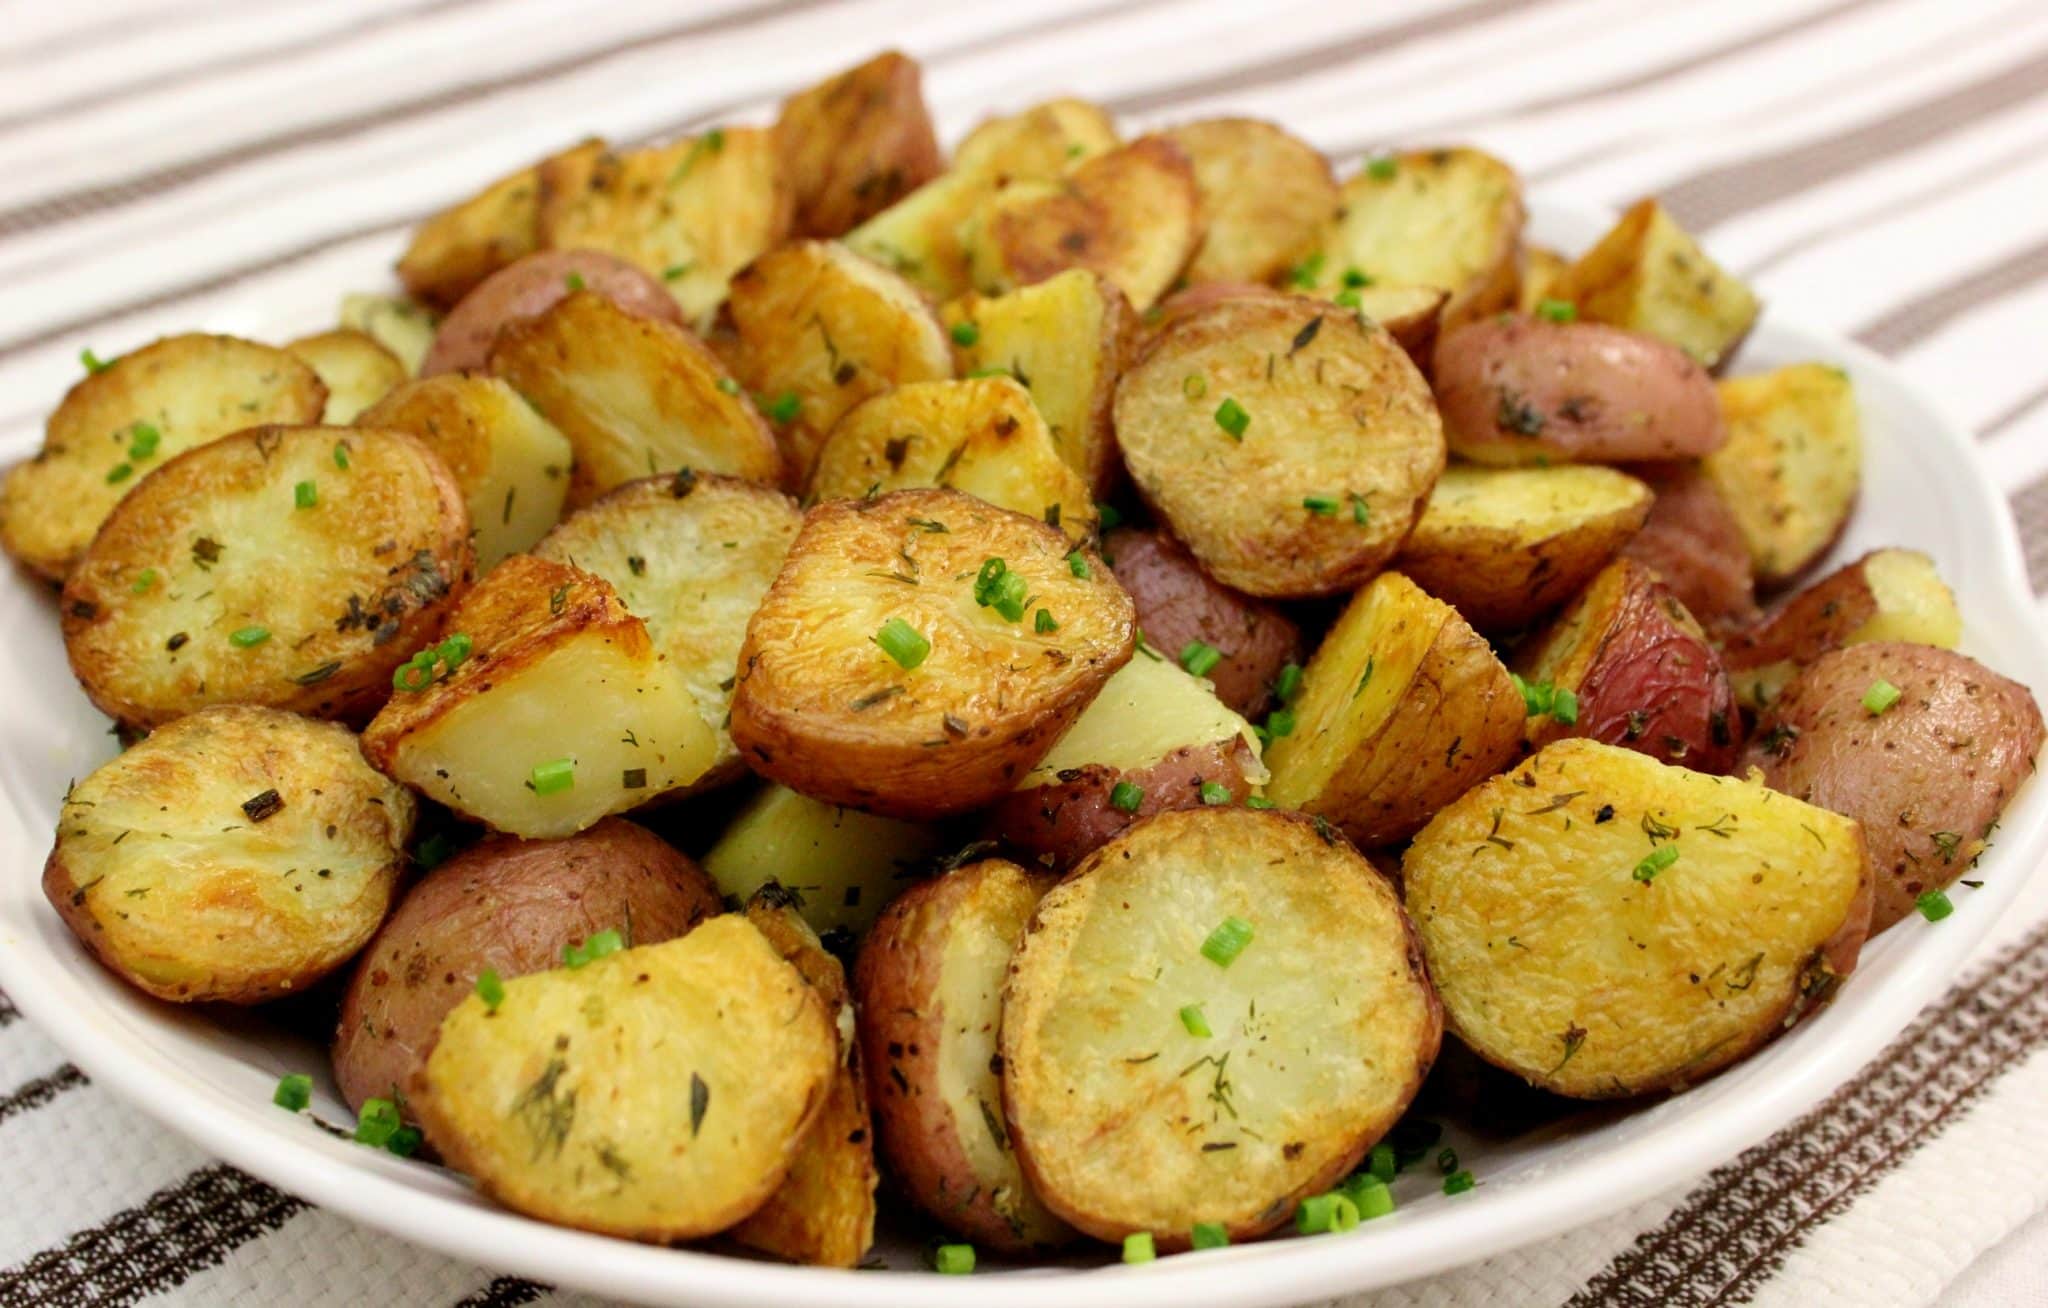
[830, 329]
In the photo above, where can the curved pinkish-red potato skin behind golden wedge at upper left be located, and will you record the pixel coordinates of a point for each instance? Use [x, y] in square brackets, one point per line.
[529, 290]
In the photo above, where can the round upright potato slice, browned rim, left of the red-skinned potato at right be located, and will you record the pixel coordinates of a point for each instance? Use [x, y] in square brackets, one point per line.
[1287, 445]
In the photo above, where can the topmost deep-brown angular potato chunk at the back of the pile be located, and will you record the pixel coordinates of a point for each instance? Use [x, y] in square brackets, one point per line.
[857, 144]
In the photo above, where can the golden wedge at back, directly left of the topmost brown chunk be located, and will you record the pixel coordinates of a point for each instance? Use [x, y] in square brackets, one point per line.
[693, 212]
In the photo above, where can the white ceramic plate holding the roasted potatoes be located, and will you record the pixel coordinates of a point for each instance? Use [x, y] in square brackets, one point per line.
[212, 1080]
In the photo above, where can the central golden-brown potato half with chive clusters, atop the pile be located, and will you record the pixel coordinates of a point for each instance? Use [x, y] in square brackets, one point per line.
[837, 699]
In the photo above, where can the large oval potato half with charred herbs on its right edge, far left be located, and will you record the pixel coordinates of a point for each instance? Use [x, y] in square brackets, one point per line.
[294, 568]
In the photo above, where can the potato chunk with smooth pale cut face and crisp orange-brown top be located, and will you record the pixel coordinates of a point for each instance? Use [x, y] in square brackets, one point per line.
[562, 713]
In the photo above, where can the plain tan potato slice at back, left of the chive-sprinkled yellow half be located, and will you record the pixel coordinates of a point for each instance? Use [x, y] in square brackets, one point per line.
[1265, 195]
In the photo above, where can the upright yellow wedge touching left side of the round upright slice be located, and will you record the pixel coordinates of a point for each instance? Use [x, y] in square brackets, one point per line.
[1066, 339]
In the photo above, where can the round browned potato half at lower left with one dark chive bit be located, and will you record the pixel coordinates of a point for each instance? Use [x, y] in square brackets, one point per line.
[263, 857]
